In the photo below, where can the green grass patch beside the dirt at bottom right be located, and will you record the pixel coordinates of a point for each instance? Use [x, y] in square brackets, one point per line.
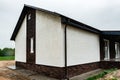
[102, 74]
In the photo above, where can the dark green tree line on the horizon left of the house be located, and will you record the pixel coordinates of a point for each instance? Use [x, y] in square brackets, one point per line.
[7, 52]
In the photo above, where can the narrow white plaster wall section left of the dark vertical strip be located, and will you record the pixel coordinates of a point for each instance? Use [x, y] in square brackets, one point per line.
[20, 43]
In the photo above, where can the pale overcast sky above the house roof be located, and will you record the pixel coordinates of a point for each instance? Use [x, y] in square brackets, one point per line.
[100, 14]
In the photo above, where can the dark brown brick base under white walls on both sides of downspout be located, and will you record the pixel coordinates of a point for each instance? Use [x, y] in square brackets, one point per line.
[59, 72]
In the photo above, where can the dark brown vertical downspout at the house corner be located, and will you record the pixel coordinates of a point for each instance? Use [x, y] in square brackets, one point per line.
[65, 40]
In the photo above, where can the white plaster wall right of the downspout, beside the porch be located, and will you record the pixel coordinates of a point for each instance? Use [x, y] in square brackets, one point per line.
[82, 46]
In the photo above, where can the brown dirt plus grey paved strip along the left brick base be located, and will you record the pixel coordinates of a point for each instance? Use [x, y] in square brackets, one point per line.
[18, 74]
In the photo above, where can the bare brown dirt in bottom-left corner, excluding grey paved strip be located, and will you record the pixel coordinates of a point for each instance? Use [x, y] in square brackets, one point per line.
[7, 74]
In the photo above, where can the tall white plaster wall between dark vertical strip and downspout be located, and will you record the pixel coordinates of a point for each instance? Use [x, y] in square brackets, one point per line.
[49, 40]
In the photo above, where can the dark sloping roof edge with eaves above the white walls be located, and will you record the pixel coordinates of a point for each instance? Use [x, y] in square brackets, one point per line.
[65, 20]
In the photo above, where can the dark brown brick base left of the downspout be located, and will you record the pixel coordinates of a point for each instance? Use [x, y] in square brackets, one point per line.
[55, 72]
